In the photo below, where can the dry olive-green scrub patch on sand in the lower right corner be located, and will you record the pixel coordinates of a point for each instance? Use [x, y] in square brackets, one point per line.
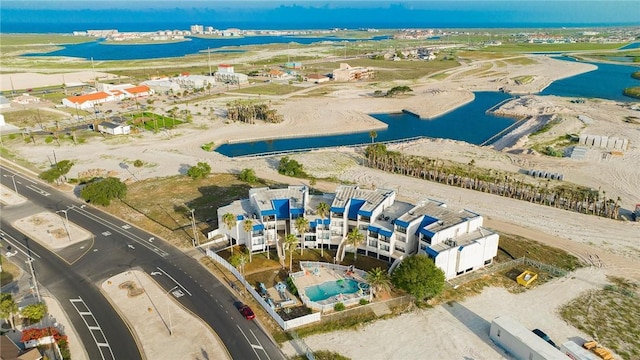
[611, 316]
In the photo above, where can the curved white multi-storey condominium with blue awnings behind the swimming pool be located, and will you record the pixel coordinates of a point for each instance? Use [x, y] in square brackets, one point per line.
[392, 230]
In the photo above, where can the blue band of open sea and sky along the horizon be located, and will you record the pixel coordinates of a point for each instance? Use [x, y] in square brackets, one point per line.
[43, 17]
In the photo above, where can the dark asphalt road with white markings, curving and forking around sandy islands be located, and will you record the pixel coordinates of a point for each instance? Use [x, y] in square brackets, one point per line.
[119, 247]
